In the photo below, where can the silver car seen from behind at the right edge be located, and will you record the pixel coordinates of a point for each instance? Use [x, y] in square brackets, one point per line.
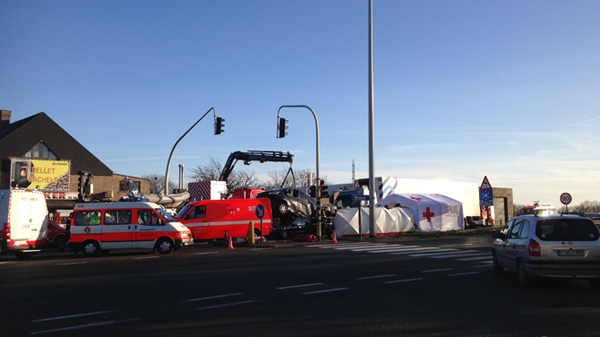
[563, 246]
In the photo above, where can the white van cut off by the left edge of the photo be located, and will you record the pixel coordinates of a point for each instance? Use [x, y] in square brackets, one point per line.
[23, 221]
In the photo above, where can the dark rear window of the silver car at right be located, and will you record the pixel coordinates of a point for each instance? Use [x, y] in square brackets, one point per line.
[567, 230]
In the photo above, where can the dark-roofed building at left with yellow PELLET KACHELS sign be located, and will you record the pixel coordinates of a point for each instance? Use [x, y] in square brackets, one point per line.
[35, 152]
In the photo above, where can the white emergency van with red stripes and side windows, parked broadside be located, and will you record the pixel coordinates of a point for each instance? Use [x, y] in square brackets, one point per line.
[100, 227]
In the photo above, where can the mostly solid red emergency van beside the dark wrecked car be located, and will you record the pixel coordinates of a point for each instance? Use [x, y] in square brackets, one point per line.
[209, 219]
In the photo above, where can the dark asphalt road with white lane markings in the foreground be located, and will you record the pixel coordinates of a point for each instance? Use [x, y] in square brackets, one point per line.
[425, 287]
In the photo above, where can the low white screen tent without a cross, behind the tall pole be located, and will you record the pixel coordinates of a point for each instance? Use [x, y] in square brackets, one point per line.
[388, 222]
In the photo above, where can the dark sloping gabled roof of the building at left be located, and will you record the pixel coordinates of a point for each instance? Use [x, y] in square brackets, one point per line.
[21, 136]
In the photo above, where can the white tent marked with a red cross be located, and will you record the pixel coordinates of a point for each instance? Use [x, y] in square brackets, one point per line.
[431, 212]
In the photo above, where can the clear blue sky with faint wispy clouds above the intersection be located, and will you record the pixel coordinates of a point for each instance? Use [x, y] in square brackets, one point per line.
[463, 89]
